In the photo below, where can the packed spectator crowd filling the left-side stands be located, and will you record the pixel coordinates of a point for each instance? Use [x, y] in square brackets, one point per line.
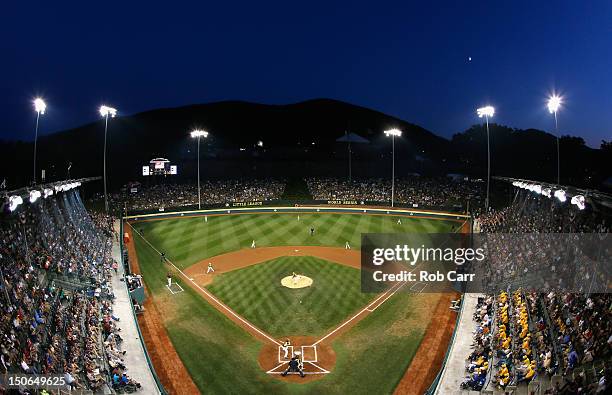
[56, 295]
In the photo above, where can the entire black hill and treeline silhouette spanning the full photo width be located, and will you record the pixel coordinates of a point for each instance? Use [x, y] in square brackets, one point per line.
[298, 140]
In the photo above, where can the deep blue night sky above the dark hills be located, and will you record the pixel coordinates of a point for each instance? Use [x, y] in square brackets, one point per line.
[407, 59]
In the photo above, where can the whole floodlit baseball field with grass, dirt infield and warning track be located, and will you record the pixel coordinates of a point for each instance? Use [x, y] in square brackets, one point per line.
[220, 332]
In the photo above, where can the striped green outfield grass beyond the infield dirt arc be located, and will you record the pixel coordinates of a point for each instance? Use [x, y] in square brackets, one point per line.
[189, 240]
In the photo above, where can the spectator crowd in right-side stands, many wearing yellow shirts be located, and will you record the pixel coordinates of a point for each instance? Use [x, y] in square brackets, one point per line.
[543, 332]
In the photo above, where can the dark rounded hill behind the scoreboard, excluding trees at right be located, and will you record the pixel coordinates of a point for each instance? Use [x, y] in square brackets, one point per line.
[298, 139]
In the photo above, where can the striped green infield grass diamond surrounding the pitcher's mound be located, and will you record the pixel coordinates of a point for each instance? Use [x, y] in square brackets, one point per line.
[256, 294]
